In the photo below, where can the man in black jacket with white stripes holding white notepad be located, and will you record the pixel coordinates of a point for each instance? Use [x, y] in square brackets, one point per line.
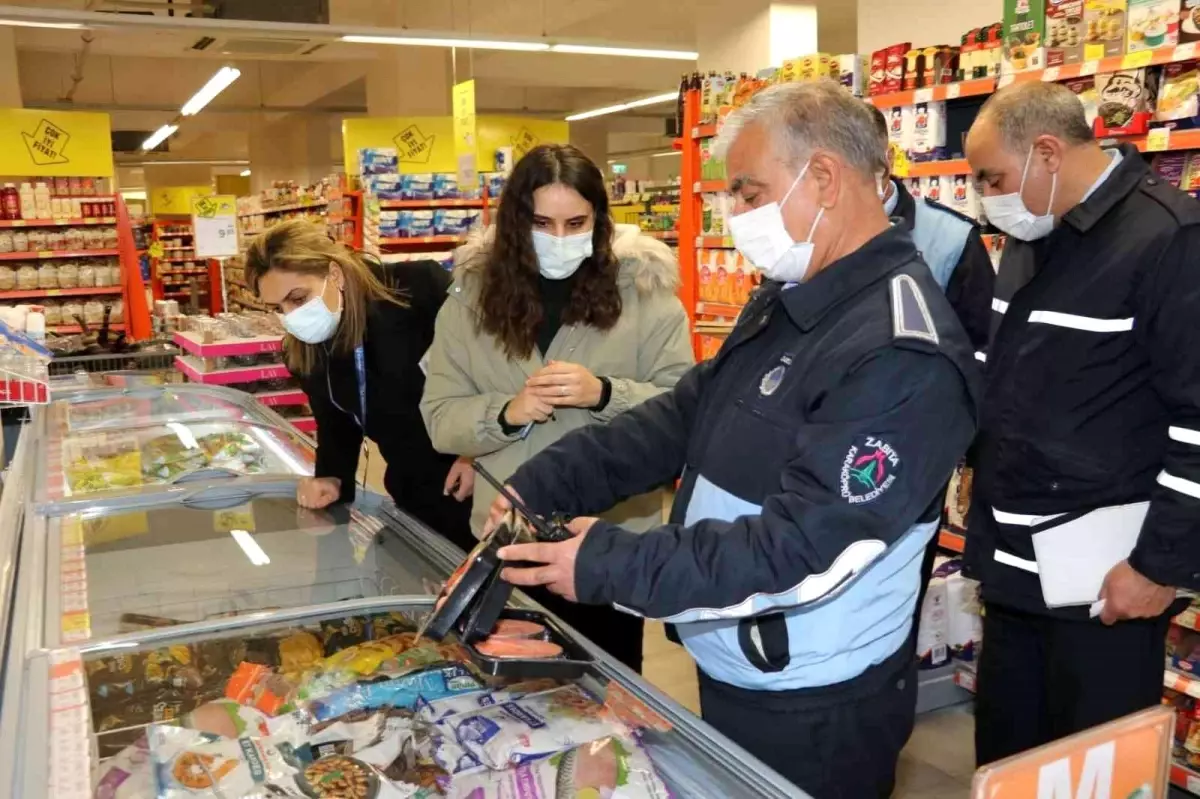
[1091, 422]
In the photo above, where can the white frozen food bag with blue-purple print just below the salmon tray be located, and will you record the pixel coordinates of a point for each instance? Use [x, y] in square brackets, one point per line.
[535, 726]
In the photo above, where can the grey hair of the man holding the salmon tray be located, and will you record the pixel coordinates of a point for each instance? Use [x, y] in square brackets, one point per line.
[812, 116]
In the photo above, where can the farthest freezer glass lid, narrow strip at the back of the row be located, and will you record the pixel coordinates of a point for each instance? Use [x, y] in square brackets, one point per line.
[148, 406]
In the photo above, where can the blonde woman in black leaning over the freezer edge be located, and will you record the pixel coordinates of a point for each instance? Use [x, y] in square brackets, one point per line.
[356, 334]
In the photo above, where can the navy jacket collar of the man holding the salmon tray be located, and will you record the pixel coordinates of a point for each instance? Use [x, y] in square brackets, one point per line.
[842, 280]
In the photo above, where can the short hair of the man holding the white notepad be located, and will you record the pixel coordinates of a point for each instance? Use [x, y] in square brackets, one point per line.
[1023, 112]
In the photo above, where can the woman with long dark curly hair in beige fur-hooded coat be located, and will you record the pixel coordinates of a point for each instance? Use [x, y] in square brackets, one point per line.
[557, 320]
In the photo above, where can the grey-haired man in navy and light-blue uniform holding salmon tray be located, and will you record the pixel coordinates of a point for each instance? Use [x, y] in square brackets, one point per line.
[815, 452]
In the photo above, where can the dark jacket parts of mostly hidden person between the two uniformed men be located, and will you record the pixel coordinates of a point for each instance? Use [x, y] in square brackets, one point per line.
[973, 283]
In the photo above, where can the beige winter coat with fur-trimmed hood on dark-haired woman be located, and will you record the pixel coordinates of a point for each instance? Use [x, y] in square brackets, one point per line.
[471, 379]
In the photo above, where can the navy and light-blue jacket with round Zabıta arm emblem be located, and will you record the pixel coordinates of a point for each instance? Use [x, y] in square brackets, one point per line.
[815, 450]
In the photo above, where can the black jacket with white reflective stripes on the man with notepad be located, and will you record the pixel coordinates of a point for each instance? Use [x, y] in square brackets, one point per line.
[1094, 386]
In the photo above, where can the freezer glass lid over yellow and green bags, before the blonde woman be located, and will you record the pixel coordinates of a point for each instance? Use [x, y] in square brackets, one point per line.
[93, 464]
